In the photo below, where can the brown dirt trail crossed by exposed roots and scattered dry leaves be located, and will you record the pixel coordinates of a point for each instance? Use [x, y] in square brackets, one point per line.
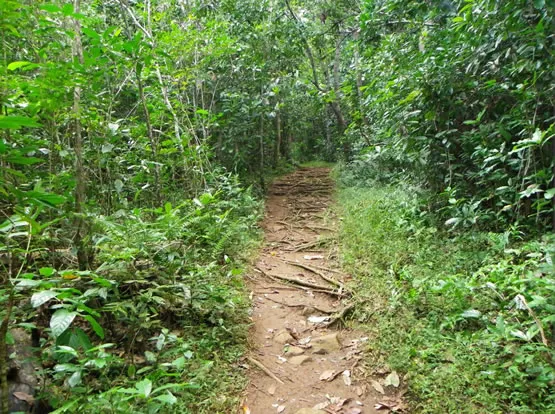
[303, 361]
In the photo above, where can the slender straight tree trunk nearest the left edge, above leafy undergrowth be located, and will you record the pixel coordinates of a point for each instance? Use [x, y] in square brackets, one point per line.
[80, 179]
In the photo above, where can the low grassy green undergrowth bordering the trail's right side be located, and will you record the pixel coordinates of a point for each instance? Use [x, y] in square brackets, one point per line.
[468, 315]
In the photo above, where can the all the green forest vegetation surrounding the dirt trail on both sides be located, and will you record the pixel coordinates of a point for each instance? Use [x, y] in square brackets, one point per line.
[130, 131]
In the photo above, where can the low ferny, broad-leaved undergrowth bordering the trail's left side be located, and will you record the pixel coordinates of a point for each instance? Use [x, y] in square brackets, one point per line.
[160, 323]
